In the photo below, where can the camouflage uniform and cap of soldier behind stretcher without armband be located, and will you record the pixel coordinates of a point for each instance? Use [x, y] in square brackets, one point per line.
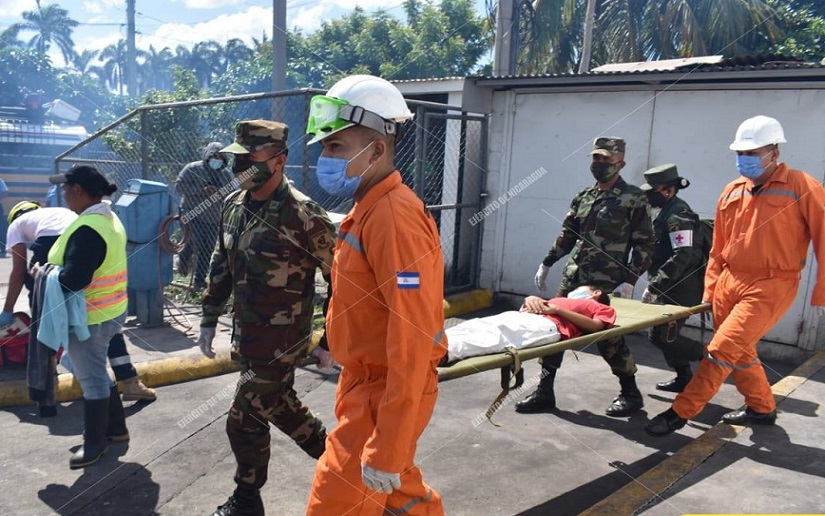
[599, 232]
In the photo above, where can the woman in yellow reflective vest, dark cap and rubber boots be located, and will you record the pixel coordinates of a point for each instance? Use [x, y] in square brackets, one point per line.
[92, 254]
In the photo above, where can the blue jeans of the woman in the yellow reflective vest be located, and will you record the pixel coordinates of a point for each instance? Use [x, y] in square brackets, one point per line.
[88, 359]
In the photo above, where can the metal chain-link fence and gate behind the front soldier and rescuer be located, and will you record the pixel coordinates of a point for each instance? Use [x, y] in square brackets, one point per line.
[441, 156]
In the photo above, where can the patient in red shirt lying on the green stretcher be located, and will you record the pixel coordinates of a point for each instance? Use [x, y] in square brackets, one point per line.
[585, 310]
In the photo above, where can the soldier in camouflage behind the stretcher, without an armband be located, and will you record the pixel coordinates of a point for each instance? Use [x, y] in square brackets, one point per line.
[608, 234]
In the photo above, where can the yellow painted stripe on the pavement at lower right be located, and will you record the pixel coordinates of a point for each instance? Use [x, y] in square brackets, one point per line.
[653, 483]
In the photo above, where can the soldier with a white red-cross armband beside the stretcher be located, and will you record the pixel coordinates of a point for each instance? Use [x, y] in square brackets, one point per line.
[677, 273]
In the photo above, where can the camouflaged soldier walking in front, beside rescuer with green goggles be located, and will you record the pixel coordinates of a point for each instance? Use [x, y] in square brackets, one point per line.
[273, 238]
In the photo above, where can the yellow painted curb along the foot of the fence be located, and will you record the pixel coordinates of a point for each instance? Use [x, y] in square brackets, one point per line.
[167, 371]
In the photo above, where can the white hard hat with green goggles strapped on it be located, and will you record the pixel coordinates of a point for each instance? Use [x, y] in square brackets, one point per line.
[381, 107]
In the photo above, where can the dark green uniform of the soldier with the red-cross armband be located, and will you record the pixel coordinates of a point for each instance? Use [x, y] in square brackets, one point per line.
[676, 276]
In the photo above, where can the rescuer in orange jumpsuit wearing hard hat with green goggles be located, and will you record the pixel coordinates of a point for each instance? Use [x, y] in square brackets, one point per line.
[385, 320]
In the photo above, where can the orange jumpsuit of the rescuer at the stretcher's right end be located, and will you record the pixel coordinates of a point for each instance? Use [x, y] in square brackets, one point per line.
[760, 242]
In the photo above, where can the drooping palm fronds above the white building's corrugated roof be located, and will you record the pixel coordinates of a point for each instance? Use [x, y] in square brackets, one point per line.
[639, 30]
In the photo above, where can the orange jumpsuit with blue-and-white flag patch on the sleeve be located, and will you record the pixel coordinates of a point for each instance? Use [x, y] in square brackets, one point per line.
[385, 327]
